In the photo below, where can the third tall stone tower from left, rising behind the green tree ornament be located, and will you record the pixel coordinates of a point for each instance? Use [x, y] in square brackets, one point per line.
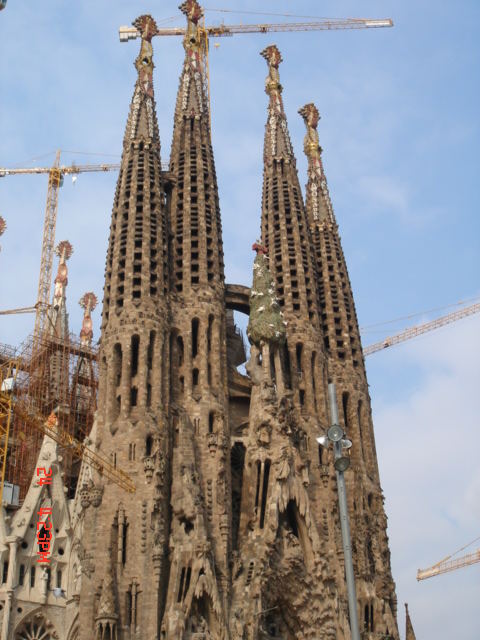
[285, 234]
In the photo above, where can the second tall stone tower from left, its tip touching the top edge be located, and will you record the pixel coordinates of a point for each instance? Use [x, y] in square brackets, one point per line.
[198, 344]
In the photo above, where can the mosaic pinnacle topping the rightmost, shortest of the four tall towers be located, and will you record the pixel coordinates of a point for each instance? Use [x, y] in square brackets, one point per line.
[319, 205]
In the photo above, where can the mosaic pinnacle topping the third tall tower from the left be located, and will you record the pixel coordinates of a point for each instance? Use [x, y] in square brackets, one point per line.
[277, 139]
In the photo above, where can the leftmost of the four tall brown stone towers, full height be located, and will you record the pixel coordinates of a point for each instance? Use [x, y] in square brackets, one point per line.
[133, 374]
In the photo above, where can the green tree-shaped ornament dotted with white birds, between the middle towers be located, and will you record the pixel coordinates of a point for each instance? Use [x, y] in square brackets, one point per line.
[266, 322]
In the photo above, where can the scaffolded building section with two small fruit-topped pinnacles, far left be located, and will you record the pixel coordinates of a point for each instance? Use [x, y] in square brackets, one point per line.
[52, 371]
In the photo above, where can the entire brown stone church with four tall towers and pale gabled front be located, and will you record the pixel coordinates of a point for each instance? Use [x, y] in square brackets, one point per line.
[233, 531]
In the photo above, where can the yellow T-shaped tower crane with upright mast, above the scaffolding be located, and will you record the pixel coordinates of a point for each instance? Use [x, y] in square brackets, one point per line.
[55, 180]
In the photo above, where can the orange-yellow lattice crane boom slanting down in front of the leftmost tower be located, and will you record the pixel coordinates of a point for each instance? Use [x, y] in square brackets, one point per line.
[9, 405]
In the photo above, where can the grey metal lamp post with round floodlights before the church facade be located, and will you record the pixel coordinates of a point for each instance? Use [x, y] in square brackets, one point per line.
[336, 435]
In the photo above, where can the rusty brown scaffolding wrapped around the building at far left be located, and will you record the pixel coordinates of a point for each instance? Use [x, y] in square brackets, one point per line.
[48, 375]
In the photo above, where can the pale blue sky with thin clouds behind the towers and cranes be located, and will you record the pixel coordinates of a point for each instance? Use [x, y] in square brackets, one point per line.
[400, 133]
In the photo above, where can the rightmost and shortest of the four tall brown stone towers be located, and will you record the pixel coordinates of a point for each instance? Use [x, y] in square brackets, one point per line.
[346, 367]
